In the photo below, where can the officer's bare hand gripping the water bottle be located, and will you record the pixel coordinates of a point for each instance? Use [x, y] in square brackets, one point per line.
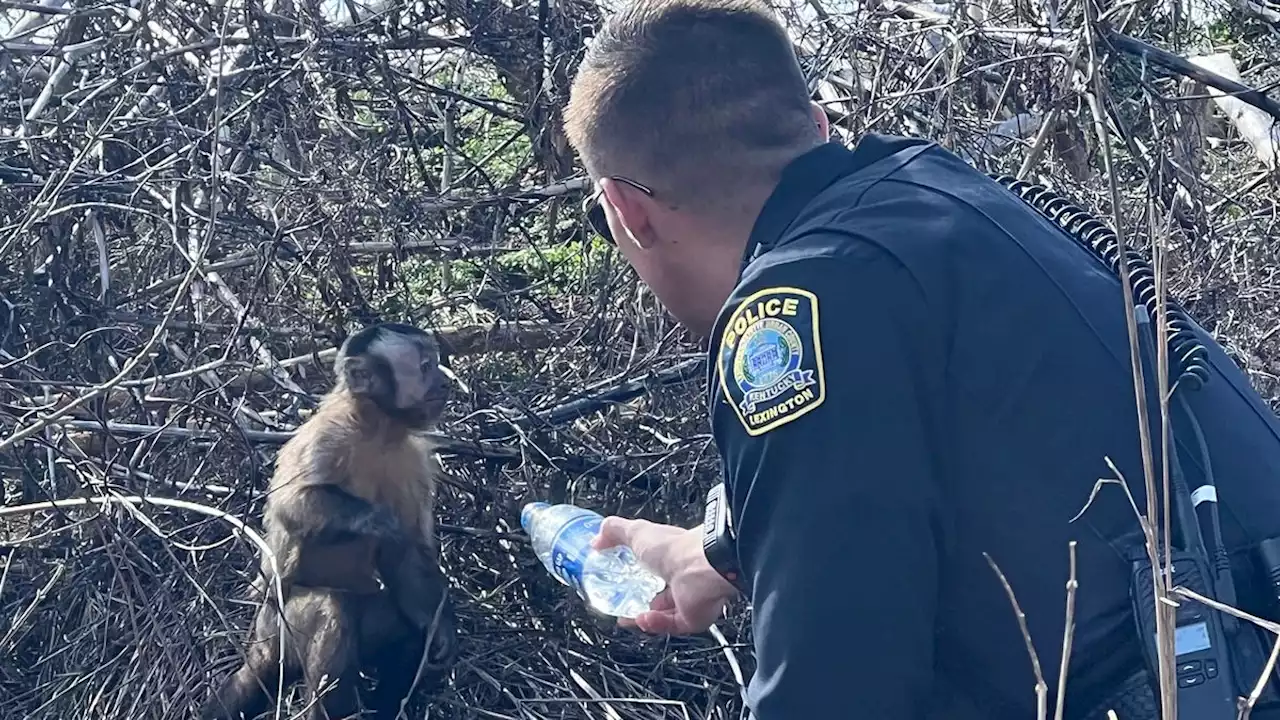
[696, 593]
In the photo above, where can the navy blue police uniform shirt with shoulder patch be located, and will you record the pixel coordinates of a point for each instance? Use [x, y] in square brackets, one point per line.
[916, 373]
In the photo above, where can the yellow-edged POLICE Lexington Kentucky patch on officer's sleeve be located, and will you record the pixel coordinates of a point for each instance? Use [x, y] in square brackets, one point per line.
[770, 359]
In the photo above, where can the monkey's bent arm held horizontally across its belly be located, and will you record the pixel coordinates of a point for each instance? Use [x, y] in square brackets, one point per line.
[326, 513]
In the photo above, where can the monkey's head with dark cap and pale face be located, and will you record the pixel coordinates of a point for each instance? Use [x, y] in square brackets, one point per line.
[399, 368]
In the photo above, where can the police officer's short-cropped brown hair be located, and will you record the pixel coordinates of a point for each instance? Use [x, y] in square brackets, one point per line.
[692, 98]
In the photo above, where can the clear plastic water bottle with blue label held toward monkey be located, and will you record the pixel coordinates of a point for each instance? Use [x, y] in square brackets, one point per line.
[612, 581]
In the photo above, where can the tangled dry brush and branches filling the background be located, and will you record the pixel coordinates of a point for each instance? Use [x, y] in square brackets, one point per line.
[198, 200]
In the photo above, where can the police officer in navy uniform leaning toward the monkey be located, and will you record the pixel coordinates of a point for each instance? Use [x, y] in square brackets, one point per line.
[911, 372]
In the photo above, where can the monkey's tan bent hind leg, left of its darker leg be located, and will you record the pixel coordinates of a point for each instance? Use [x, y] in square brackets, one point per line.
[330, 654]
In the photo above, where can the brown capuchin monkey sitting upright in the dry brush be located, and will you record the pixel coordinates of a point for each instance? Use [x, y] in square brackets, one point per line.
[351, 521]
